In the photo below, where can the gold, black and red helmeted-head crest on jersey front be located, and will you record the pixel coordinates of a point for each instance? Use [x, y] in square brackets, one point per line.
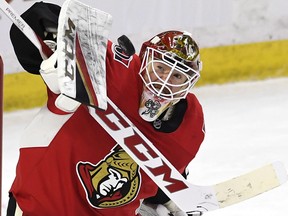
[113, 182]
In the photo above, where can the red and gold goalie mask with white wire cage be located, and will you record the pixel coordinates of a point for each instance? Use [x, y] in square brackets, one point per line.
[170, 68]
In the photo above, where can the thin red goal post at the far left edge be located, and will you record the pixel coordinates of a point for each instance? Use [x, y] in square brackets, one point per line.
[1, 129]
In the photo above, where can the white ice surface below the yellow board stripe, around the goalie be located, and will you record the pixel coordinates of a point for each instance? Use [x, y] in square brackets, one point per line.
[246, 125]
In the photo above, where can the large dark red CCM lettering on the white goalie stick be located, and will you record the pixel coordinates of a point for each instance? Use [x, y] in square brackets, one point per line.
[137, 148]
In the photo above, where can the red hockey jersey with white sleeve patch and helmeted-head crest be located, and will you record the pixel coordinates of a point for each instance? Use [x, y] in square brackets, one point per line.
[69, 165]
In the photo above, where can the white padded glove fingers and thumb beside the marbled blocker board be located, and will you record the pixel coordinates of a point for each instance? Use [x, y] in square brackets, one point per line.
[48, 72]
